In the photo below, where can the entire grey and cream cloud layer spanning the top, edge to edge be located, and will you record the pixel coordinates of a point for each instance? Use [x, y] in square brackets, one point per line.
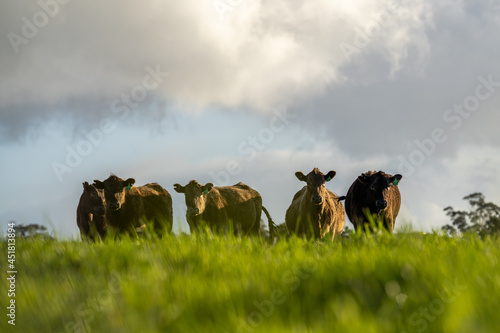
[393, 90]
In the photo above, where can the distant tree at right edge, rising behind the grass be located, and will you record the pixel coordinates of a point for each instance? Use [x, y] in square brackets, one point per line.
[483, 217]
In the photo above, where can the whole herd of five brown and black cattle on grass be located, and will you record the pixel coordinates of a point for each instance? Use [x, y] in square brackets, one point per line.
[315, 211]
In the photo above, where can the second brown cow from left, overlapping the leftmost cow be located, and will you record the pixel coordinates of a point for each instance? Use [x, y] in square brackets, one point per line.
[129, 207]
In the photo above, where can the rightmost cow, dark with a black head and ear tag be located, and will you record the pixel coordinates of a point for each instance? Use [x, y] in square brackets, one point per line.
[376, 194]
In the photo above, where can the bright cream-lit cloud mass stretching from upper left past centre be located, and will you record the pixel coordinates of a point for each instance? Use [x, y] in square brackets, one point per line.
[263, 55]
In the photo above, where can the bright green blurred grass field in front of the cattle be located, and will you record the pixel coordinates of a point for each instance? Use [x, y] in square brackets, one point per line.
[406, 282]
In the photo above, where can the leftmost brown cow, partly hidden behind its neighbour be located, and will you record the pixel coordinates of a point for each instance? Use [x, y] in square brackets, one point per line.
[90, 213]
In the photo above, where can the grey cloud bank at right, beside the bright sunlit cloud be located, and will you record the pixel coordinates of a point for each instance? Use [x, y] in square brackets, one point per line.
[378, 112]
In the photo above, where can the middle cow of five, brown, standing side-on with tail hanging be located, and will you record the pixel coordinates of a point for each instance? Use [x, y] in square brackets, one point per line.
[220, 206]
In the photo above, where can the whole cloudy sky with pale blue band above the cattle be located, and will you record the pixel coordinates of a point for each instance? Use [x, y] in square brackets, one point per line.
[227, 91]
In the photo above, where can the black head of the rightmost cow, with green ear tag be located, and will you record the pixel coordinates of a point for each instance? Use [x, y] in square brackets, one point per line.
[376, 186]
